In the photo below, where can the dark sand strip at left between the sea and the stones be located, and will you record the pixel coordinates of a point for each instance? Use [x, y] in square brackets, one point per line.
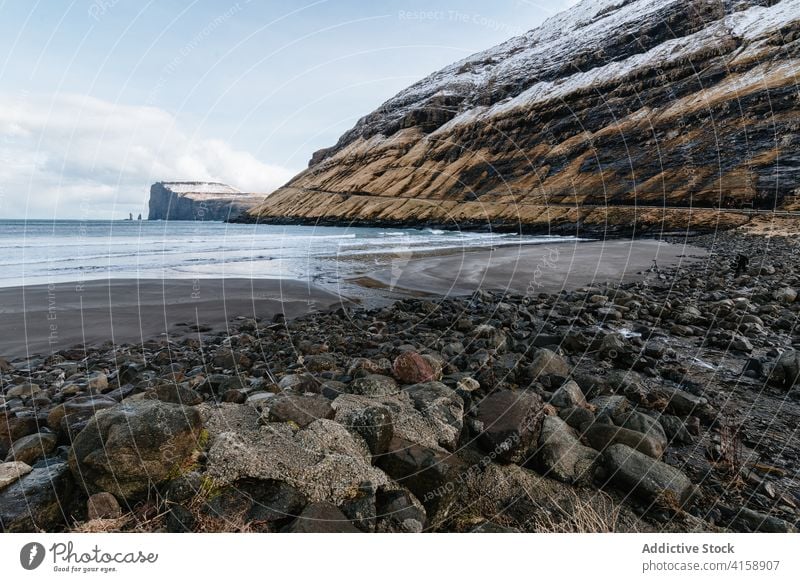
[41, 319]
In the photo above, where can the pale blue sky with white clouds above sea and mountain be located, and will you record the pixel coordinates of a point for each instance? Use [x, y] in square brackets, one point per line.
[101, 98]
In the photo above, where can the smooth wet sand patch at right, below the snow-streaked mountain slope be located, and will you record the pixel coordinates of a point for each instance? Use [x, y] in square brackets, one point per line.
[532, 269]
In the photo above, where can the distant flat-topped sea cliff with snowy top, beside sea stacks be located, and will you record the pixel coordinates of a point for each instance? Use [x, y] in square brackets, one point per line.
[198, 201]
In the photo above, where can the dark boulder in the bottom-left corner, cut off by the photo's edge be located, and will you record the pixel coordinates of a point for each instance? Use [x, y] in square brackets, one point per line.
[37, 501]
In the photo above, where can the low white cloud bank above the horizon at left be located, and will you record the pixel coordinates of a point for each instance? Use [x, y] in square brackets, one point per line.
[70, 156]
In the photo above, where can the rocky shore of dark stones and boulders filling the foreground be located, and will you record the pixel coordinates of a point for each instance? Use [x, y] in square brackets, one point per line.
[665, 404]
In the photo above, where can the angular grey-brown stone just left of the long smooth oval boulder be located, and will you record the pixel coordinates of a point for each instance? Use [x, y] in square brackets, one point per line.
[560, 454]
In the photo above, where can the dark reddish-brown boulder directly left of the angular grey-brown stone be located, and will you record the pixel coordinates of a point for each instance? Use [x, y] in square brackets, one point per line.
[511, 423]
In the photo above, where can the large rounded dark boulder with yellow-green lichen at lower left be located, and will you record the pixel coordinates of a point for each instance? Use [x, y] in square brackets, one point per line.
[127, 449]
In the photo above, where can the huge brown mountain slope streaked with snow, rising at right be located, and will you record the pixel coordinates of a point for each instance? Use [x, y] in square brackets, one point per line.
[657, 103]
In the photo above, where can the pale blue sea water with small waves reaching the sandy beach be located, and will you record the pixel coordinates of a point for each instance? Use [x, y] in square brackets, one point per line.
[48, 251]
